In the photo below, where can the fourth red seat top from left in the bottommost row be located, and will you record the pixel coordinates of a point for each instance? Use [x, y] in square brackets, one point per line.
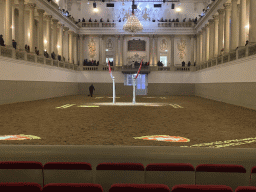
[204, 188]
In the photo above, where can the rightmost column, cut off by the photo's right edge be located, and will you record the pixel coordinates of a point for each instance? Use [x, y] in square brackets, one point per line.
[252, 19]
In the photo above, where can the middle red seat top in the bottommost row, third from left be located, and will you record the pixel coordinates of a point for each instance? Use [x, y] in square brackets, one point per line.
[139, 188]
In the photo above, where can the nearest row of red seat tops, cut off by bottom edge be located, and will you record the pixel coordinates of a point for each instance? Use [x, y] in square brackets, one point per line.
[90, 187]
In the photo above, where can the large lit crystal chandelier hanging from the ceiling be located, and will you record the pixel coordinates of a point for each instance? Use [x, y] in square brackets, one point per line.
[133, 24]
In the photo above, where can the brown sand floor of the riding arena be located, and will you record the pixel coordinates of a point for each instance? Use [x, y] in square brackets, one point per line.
[82, 120]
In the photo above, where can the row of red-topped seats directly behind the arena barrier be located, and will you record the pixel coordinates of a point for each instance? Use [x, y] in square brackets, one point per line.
[170, 174]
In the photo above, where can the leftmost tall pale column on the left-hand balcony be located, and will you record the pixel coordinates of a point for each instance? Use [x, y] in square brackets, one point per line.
[8, 22]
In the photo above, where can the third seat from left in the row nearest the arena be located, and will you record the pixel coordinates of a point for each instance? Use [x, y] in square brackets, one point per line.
[112, 173]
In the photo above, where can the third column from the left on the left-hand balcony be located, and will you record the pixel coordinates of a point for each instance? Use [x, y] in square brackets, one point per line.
[31, 7]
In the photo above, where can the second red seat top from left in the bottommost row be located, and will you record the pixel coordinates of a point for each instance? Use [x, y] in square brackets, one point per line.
[72, 187]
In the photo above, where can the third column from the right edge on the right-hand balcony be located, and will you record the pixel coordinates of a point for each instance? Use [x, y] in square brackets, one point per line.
[227, 27]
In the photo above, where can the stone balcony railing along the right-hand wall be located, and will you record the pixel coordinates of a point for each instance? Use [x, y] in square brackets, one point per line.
[239, 53]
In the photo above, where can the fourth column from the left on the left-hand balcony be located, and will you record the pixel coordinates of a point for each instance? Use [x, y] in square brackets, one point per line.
[40, 31]
